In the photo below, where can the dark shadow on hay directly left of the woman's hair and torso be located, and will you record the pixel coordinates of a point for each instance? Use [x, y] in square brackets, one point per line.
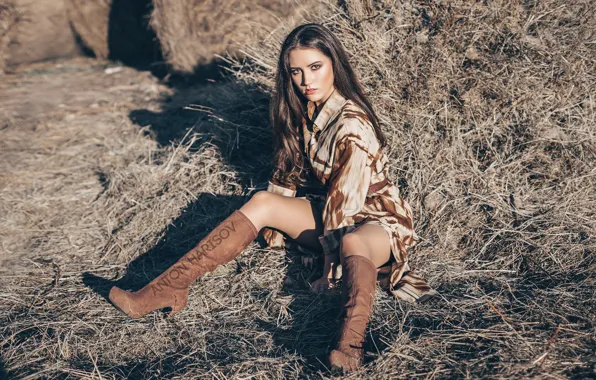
[218, 110]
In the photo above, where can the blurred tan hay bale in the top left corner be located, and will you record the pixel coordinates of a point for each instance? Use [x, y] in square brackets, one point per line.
[41, 32]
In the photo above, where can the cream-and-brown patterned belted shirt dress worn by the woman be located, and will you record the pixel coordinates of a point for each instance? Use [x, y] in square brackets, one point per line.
[346, 157]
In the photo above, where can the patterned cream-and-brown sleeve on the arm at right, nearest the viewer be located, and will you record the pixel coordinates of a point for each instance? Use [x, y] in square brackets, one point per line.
[348, 186]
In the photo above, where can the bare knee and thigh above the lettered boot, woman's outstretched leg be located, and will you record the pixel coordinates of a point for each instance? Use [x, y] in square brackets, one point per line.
[296, 217]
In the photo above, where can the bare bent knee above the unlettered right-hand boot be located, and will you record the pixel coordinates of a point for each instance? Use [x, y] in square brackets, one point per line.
[370, 241]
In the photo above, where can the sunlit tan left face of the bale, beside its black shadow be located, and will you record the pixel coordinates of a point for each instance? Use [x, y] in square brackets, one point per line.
[90, 20]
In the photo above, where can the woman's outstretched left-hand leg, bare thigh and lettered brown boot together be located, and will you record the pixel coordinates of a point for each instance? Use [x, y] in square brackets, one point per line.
[295, 217]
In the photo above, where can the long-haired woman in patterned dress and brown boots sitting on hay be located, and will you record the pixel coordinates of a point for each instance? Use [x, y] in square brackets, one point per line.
[324, 126]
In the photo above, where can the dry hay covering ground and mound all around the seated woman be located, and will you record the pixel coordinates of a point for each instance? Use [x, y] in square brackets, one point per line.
[489, 110]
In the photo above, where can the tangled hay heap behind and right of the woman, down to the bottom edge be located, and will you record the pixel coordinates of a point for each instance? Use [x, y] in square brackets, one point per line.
[489, 112]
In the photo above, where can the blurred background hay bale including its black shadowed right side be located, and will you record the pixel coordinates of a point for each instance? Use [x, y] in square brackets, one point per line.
[115, 29]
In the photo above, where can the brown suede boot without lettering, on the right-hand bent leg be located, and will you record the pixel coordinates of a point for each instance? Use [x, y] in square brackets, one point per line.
[358, 291]
